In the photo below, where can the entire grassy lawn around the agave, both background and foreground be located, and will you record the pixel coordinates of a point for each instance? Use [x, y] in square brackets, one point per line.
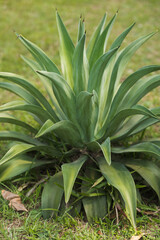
[35, 19]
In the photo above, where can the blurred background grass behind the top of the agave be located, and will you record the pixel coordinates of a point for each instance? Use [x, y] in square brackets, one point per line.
[35, 19]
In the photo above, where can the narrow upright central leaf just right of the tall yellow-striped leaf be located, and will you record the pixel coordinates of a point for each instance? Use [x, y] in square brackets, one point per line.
[79, 77]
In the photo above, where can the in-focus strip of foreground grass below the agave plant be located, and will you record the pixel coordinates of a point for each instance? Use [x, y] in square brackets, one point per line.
[15, 225]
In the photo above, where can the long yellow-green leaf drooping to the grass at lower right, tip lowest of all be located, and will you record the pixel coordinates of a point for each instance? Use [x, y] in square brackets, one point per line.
[119, 177]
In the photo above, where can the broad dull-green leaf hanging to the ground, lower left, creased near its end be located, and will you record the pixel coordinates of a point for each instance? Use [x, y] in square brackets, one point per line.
[52, 196]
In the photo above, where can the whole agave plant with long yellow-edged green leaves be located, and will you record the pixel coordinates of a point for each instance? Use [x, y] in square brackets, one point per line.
[83, 125]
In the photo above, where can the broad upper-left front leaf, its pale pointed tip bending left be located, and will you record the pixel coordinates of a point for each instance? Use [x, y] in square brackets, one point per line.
[64, 94]
